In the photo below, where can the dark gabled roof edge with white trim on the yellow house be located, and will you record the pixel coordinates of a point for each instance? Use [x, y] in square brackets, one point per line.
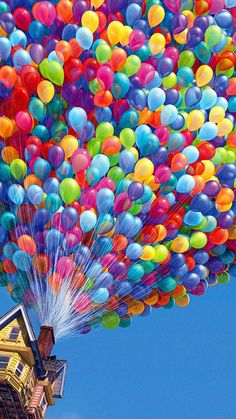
[15, 313]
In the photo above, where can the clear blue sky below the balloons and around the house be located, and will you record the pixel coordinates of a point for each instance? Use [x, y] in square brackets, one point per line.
[174, 364]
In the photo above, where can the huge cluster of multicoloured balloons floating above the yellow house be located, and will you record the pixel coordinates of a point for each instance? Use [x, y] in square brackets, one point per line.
[117, 170]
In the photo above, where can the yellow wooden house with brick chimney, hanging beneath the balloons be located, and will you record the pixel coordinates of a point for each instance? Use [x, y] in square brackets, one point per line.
[30, 378]
